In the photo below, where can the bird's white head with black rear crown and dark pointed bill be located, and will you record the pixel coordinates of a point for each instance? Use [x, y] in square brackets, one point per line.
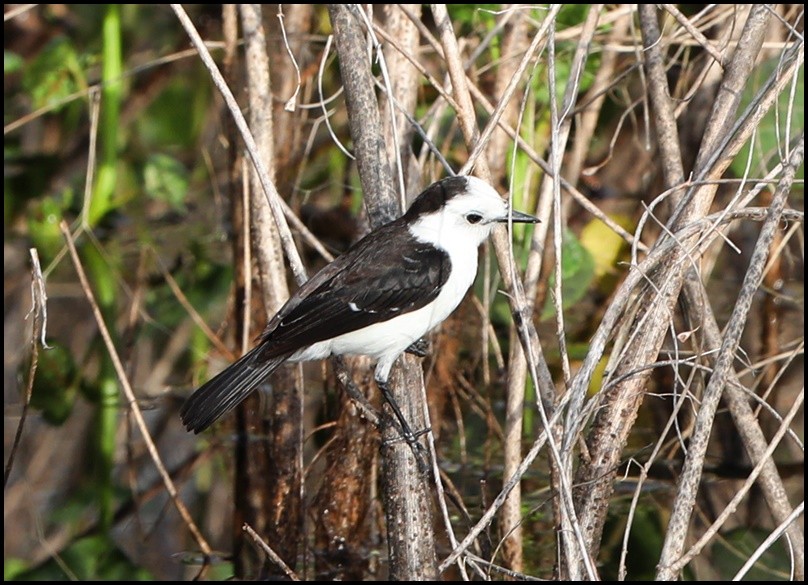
[459, 211]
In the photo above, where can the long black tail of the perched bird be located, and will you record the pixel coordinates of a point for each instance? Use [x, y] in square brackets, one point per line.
[227, 389]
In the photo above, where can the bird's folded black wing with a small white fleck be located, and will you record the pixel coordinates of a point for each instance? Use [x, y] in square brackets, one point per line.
[386, 274]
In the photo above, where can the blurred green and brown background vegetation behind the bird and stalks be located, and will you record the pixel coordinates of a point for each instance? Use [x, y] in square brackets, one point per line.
[112, 124]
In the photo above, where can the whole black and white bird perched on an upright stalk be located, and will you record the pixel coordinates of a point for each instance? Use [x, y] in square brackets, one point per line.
[385, 293]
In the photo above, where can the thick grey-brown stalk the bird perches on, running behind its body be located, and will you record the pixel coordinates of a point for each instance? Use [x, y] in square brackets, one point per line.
[410, 534]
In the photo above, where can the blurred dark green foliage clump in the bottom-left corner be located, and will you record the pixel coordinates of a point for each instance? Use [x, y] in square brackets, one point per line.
[92, 558]
